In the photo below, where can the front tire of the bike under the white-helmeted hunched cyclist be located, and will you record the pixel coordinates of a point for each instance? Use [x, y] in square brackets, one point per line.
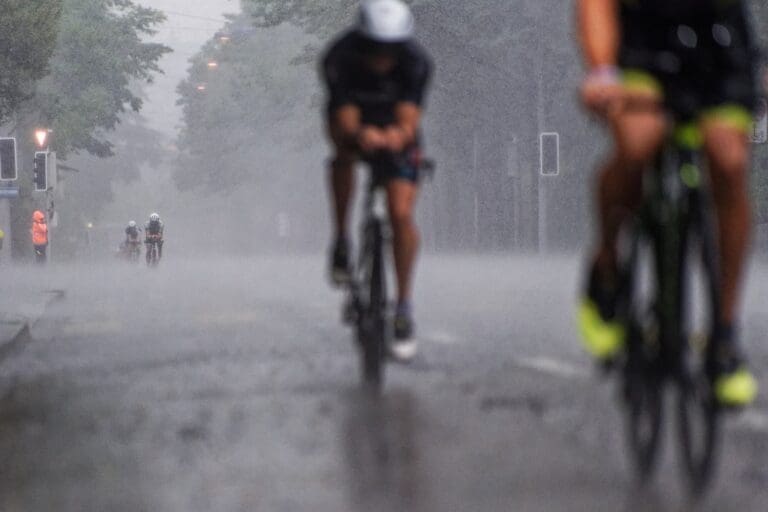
[374, 321]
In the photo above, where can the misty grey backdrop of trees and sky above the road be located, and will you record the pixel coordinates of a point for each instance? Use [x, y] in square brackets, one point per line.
[239, 167]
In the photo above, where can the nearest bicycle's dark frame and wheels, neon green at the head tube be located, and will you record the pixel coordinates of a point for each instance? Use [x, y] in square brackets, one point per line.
[676, 212]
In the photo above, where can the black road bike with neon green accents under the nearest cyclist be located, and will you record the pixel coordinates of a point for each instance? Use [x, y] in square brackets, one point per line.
[669, 304]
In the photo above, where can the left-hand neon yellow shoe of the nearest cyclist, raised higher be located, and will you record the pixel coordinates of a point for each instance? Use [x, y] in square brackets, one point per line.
[604, 340]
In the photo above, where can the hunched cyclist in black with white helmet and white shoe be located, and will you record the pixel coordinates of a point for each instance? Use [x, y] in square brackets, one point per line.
[377, 76]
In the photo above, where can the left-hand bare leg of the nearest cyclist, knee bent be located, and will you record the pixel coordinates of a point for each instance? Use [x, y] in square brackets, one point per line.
[637, 137]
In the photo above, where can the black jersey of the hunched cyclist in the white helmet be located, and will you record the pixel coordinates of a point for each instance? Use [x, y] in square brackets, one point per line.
[350, 82]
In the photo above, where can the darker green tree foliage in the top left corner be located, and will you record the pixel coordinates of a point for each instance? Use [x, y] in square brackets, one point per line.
[27, 39]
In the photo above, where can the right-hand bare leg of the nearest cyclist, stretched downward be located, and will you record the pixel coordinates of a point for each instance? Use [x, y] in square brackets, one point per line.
[727, 150]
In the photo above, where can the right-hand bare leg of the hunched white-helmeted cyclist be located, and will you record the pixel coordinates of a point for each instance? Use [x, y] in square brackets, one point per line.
[402, 196]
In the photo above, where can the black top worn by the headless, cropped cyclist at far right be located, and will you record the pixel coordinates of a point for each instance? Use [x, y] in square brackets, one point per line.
[704, 56]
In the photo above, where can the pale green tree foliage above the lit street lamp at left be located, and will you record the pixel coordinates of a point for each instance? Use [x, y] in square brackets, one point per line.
[99, 59]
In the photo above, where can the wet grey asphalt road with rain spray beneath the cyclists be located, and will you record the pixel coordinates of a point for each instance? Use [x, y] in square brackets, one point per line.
[232, 386]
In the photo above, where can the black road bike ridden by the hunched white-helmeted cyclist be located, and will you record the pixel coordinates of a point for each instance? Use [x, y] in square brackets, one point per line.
[367, 307]
